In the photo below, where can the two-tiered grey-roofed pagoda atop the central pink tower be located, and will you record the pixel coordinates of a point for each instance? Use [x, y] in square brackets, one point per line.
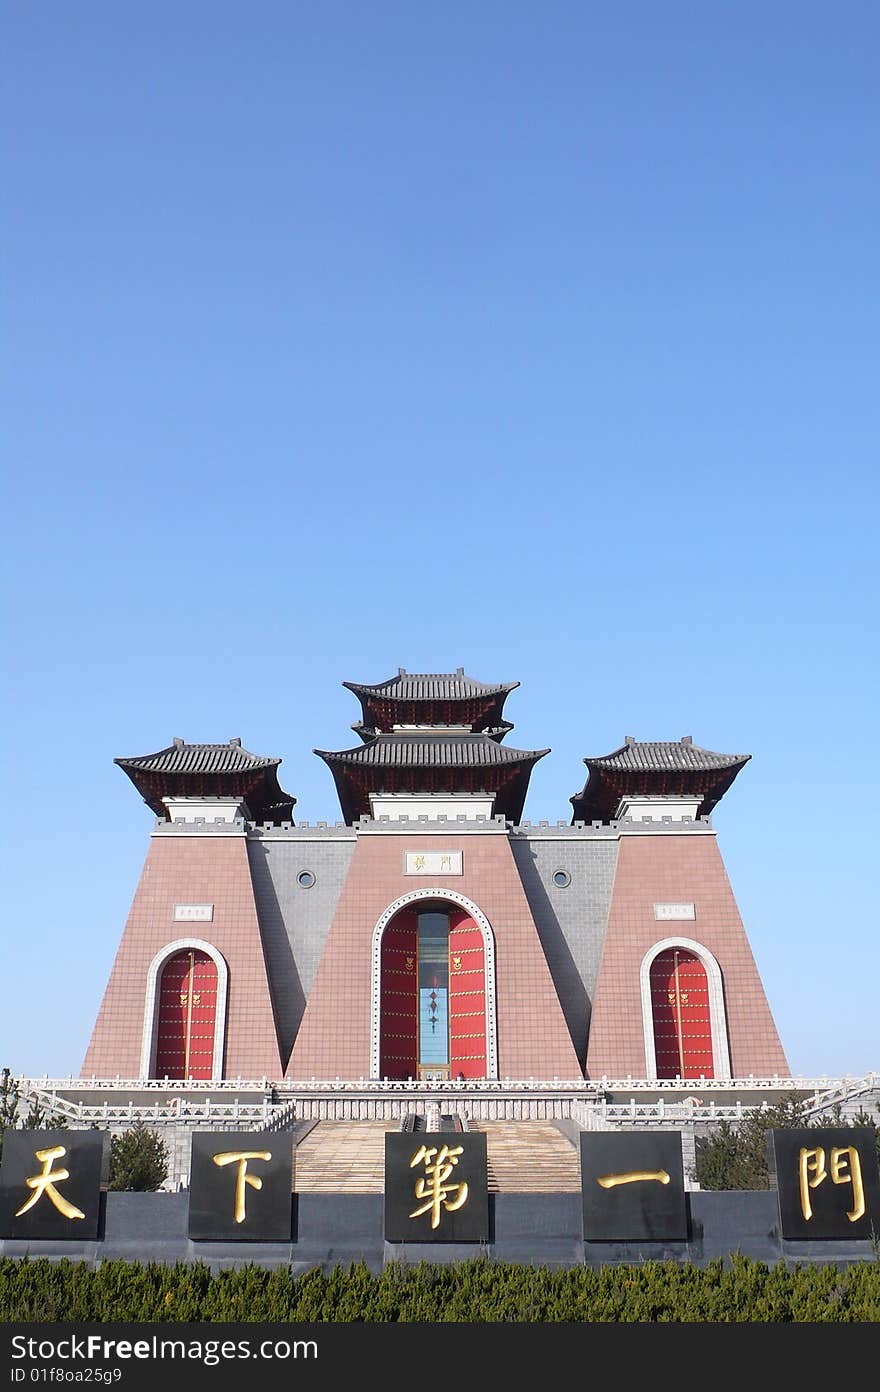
[432, 747]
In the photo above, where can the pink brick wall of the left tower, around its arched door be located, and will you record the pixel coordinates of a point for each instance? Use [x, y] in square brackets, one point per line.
[190, 871]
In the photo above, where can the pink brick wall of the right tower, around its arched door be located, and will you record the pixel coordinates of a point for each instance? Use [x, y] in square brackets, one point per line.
[672, 871]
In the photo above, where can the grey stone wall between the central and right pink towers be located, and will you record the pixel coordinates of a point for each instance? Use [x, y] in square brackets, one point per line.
[572, 921]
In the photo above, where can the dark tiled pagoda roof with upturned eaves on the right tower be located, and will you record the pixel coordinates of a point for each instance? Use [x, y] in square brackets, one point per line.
[655, 769]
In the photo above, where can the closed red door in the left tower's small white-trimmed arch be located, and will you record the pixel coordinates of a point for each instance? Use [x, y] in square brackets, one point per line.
[187, 1017]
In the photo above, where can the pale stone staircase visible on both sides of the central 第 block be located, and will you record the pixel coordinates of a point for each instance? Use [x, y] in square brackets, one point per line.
[524, 1159]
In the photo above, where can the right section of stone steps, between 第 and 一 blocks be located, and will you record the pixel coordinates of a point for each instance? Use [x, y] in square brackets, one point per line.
[530, 1159]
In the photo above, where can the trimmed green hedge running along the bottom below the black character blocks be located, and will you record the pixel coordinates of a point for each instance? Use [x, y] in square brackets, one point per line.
[481, 1291]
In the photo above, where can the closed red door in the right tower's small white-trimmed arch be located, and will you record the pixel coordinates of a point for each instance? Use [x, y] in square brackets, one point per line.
[682, 1017]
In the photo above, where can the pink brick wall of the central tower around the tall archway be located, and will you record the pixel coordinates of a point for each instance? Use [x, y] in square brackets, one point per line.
[335, 1036]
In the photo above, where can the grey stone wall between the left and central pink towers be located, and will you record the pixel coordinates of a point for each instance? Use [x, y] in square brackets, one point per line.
[296, 921]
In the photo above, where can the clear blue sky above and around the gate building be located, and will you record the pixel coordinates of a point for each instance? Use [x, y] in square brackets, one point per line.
[535, 339]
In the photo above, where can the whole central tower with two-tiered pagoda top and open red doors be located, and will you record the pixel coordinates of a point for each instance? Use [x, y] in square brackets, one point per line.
[434, 940]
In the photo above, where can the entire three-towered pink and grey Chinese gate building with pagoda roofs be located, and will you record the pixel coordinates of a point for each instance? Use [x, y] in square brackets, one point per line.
[434, 935]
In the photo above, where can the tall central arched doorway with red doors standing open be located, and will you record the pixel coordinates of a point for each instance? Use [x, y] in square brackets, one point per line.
[432, 1010]
